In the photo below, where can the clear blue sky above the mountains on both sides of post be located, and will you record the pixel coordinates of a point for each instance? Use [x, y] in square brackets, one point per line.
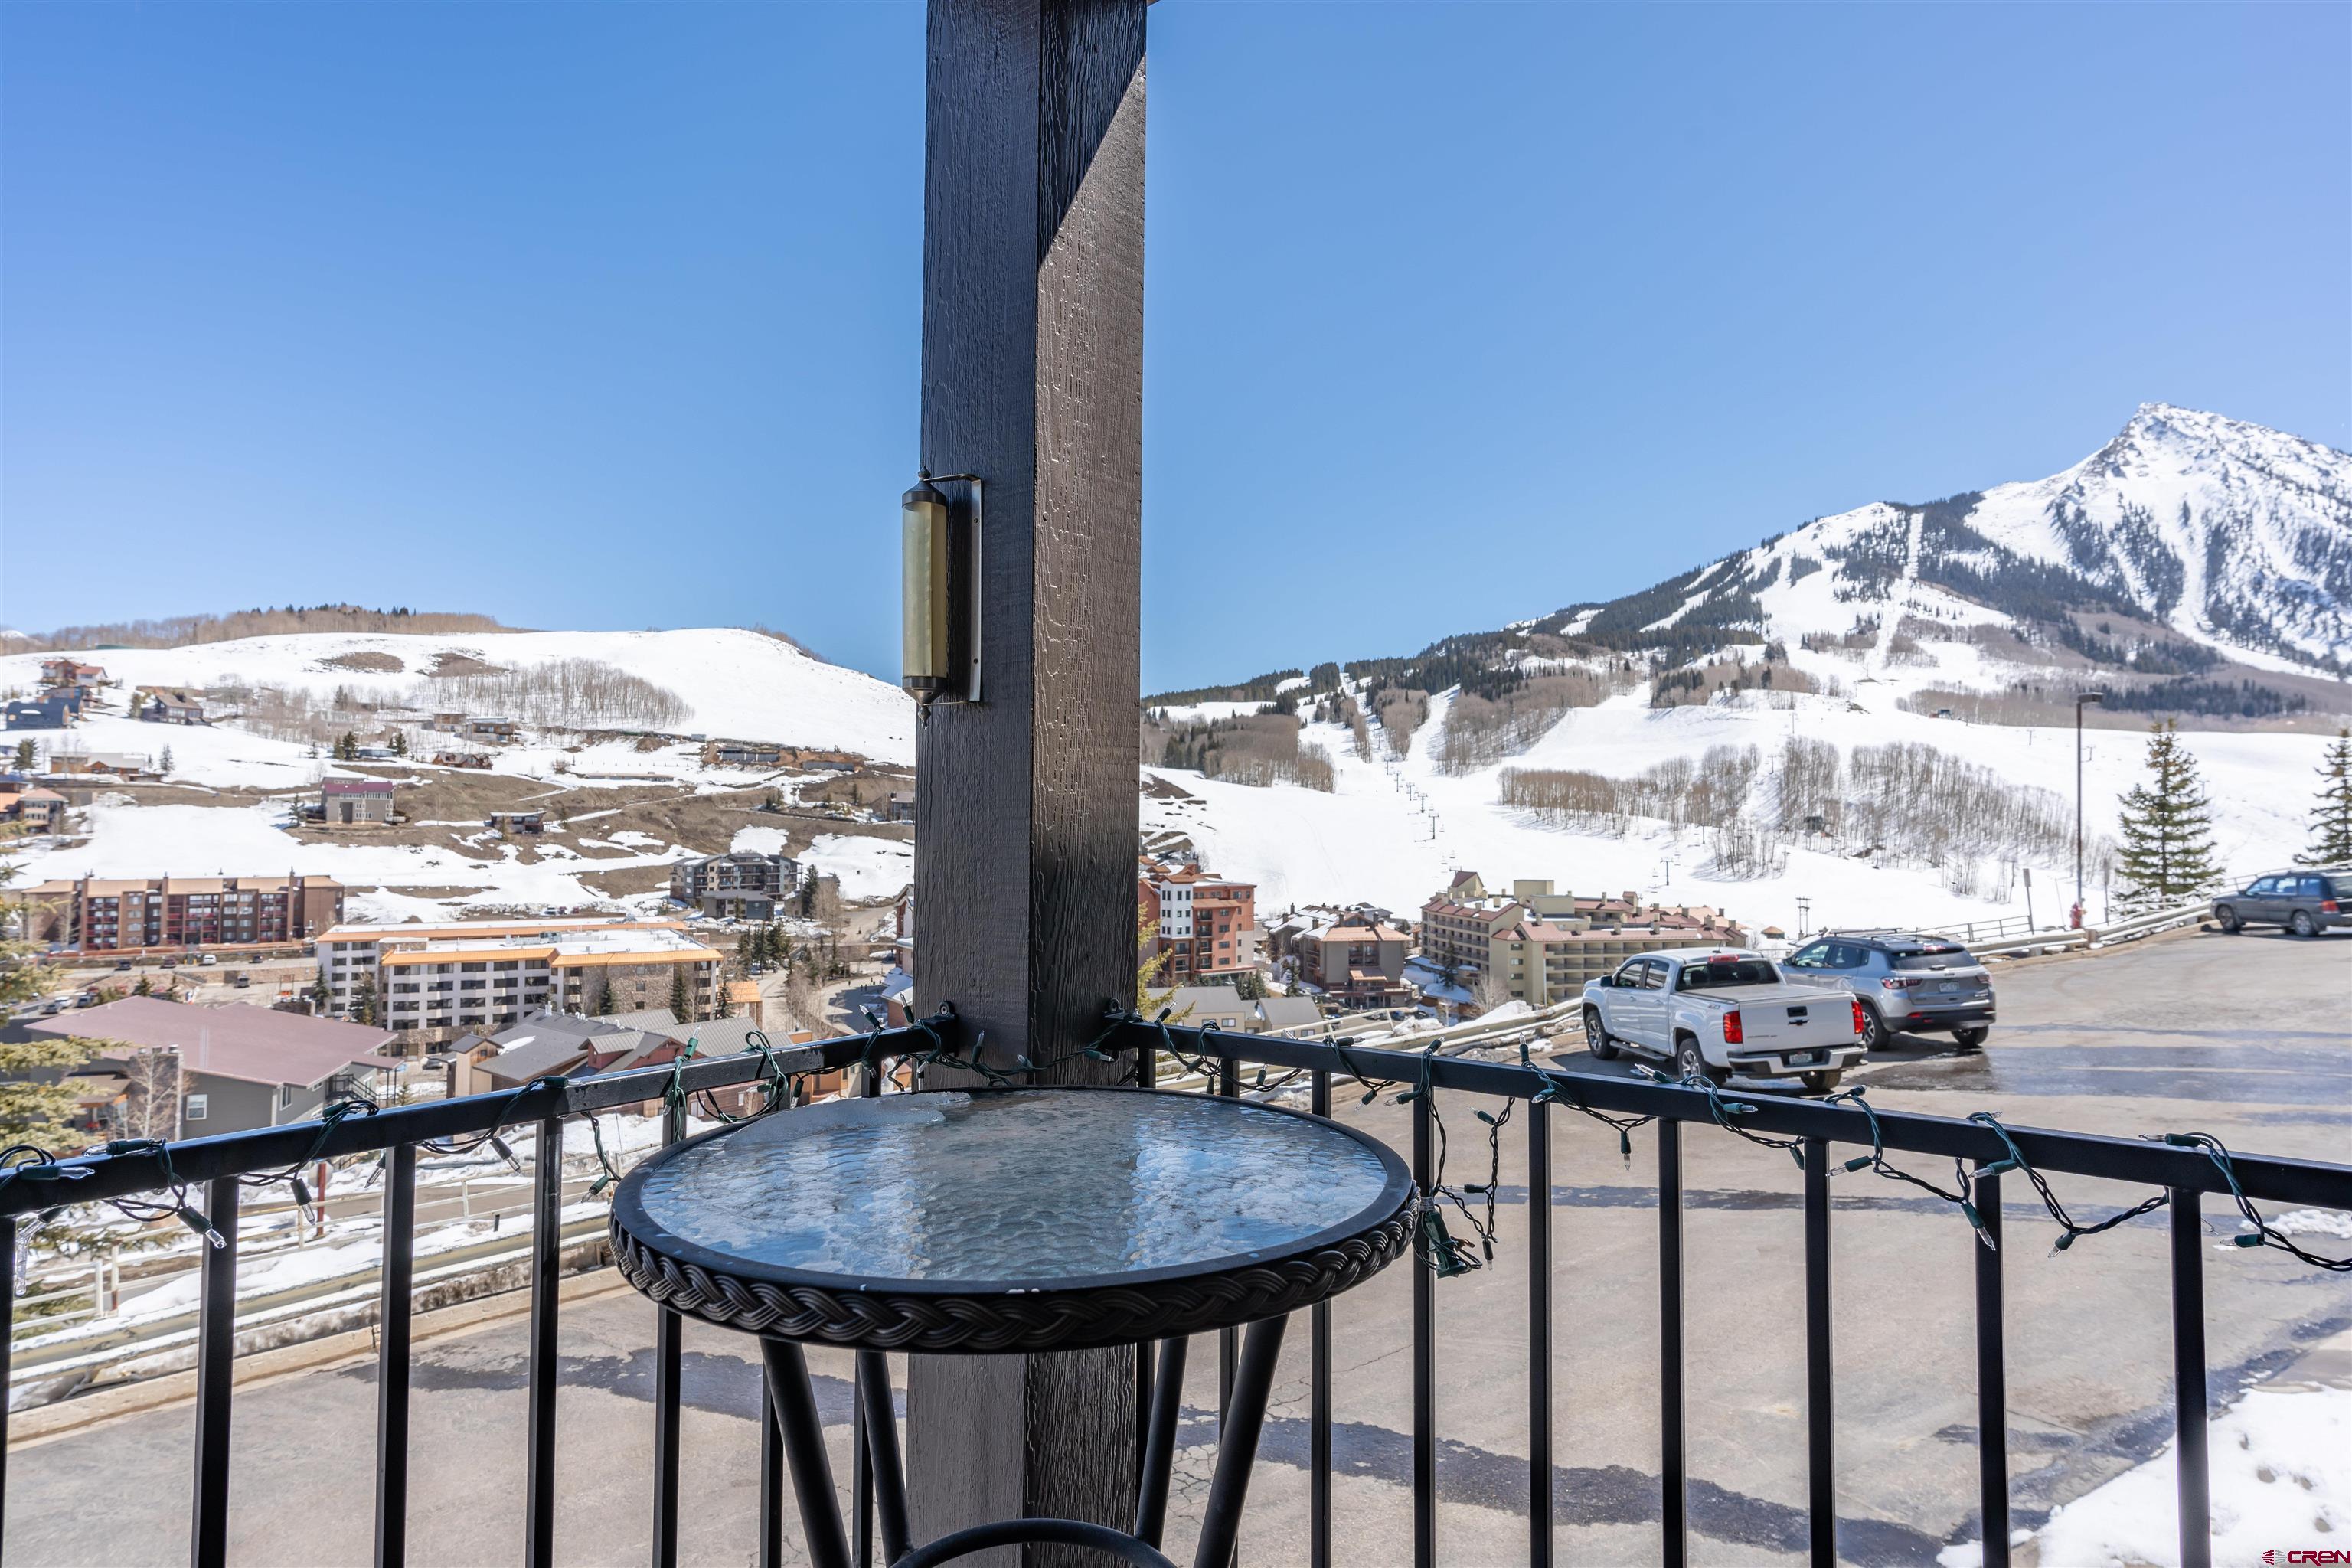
[608, 316]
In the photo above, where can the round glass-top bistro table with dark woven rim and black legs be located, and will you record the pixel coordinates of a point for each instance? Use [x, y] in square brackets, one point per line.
[1001, 1224]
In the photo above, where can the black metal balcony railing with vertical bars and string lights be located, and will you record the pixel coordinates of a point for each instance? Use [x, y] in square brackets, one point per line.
[225, 1165]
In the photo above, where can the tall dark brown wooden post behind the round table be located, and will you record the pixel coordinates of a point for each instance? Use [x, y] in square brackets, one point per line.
[1027, 843]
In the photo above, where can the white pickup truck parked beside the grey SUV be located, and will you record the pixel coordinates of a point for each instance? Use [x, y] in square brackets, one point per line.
[1723, 1012]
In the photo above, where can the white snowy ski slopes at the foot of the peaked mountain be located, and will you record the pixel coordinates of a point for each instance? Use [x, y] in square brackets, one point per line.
[1394, 831]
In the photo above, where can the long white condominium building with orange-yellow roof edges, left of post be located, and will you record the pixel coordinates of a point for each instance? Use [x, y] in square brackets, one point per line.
[488, 974]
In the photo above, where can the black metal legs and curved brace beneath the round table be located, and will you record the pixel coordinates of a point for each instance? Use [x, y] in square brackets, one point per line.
[822, 1513]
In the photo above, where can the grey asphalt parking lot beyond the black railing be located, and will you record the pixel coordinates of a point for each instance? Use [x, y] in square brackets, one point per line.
[2243, 1038]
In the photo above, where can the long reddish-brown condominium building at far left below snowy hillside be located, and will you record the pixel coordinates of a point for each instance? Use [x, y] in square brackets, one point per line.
[112, 913]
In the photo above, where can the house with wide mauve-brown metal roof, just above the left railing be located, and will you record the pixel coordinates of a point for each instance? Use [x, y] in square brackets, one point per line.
[241, 1066]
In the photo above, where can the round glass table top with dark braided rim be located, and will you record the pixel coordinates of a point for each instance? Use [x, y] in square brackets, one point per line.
[1003, 1198]
